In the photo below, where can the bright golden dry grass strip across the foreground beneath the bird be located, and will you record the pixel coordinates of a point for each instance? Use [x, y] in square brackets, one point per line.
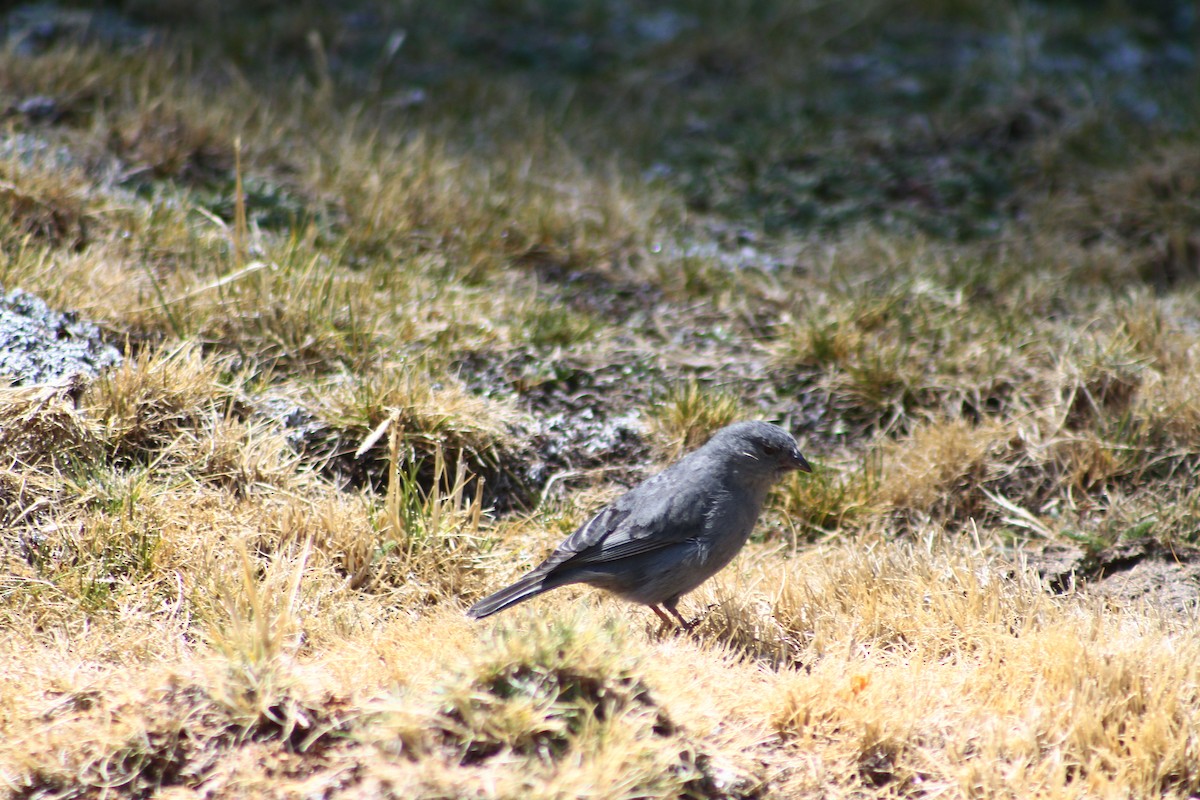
[915, 670]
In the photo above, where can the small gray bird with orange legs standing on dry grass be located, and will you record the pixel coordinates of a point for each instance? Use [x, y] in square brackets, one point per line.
[673, 532]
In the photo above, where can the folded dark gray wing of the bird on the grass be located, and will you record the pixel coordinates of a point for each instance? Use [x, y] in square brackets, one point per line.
[663, 512]
